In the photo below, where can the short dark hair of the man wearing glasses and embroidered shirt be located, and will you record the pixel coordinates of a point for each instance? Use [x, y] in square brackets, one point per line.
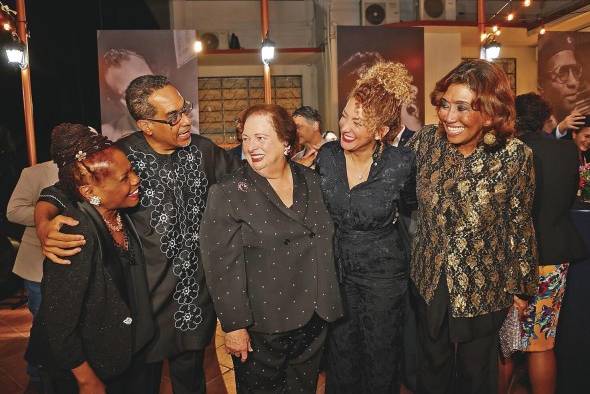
[139, 91]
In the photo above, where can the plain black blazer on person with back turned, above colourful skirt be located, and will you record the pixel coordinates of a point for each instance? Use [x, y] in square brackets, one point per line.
[556, 175]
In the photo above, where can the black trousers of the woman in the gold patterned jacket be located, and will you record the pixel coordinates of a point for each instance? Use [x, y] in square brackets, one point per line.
[455, 356]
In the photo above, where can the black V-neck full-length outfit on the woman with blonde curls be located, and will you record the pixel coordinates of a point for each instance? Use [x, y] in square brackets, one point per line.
[364, 348]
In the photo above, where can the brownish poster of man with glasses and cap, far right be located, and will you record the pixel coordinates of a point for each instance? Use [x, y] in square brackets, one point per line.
[564, 78]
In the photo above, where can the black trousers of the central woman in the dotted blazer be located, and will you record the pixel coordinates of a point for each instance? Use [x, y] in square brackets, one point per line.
[283, 363]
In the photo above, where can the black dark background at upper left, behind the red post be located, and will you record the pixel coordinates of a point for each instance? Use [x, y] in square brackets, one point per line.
[64, 74]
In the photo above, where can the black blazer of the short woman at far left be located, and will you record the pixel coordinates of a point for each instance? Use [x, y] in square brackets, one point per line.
[85, 313]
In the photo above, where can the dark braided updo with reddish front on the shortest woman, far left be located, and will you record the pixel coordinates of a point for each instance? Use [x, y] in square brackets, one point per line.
[82, 156]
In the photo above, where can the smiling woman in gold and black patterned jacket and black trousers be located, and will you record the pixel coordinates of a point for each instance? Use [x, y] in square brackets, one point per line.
[474, 252]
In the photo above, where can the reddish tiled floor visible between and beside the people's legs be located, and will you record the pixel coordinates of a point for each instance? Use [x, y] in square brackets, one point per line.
[14, 334]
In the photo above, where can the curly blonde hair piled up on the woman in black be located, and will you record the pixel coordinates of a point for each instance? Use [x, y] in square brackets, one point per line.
[380, 91]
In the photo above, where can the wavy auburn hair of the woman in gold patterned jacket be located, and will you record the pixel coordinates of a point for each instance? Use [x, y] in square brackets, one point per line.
[493, 96]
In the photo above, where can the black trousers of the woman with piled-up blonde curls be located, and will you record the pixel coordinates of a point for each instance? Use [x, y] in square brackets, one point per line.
[365, 347]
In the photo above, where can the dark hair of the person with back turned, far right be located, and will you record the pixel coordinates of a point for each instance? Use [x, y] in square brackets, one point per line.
[532, 111]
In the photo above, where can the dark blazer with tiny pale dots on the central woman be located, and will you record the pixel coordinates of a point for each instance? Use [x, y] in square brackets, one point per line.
[269, 267]
